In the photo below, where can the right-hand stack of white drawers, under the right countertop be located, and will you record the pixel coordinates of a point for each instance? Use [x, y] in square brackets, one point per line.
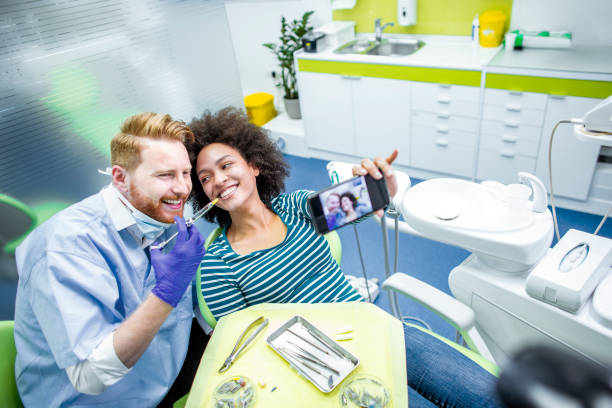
[509, 134]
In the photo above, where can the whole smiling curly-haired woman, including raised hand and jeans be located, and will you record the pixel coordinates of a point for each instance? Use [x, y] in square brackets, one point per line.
[269, 251]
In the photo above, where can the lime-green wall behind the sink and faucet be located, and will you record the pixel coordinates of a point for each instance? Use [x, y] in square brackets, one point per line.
[438, 17]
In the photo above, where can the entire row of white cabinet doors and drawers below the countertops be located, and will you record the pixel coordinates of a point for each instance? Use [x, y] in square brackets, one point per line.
[459, 130]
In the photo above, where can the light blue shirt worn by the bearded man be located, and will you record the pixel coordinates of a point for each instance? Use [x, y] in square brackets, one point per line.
[81, 274]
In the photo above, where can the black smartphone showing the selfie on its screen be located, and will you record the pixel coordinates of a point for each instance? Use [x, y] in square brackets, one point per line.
[343, 203]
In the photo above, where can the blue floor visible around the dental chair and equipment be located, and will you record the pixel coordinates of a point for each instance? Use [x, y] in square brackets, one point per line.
[426, 260]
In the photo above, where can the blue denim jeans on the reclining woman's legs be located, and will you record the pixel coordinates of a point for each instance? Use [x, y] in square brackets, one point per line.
[444, 376]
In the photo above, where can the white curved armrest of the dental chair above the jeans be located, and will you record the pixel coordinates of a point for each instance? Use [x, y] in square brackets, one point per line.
[449, 308]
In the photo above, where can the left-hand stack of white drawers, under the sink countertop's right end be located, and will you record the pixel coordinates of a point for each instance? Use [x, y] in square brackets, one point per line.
[444, 127]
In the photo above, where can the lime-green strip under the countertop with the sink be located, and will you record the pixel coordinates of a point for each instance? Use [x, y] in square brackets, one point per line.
[435, 75]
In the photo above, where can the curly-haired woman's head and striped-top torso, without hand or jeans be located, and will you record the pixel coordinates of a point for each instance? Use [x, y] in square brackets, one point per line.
[268, 250]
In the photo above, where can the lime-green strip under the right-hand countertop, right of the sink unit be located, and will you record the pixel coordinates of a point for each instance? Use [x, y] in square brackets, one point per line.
[554, 86]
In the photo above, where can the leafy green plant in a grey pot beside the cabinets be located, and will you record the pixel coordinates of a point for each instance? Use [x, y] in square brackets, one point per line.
[290, 42]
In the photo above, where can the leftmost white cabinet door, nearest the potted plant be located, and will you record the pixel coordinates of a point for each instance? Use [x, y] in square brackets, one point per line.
[327, 112]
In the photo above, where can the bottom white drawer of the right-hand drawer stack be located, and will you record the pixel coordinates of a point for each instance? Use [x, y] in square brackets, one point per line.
[495, 165]
